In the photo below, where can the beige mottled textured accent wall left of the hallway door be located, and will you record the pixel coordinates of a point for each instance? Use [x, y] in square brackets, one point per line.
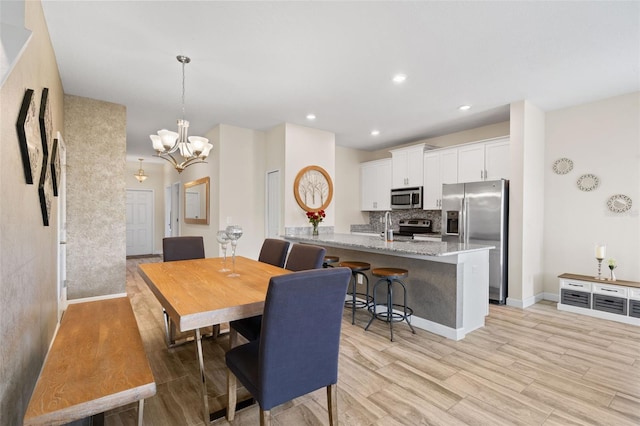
[95, 133]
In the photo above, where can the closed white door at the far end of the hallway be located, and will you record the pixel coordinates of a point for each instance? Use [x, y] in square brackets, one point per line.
[139, 222]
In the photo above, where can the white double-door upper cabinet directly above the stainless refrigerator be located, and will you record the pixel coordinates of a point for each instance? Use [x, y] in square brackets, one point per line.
[484, 161]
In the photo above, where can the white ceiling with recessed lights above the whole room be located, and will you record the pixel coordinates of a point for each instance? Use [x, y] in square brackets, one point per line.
[260, 64]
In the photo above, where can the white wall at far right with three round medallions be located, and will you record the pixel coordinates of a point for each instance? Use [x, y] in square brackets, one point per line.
[602, 138]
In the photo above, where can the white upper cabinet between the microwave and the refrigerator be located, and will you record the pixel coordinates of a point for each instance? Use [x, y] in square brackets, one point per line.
[439, 167]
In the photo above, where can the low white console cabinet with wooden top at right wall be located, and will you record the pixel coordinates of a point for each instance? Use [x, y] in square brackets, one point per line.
[612, 300]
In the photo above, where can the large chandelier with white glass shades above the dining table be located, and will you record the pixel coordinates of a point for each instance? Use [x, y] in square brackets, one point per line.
[192, 149]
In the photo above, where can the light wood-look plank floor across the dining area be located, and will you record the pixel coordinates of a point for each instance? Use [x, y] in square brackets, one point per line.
[536, 366]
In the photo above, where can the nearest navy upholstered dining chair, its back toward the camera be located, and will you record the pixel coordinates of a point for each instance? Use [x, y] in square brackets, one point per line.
[297, 352]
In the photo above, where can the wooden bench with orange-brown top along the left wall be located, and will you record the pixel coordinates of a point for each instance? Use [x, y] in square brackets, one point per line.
[97, 362]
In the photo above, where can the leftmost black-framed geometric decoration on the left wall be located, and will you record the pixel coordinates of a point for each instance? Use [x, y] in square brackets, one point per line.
[29, 137]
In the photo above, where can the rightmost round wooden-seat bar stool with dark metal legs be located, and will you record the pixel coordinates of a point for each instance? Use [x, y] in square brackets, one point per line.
[390, 276]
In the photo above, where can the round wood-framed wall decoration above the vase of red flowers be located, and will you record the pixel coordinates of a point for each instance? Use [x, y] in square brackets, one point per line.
[313, 188]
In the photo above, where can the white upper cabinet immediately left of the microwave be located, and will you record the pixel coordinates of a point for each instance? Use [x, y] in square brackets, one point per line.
[375, 181]
